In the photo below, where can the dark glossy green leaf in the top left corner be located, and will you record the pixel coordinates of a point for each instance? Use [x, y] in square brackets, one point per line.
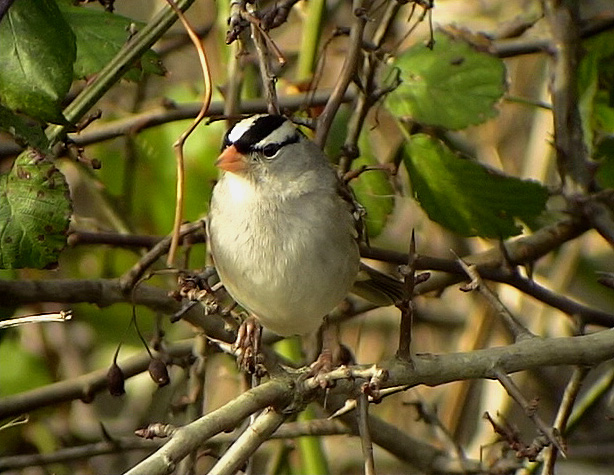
[37, 55]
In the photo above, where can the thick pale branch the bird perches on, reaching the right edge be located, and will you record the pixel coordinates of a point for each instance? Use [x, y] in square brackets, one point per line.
[426, 369]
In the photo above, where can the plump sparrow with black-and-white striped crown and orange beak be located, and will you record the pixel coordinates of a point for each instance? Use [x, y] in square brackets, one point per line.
[282, 235]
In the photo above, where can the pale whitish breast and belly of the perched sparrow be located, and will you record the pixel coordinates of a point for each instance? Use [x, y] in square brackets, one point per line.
[288, 262]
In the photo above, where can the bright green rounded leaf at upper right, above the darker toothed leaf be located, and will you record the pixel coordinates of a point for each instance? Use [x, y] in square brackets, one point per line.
[453, 85]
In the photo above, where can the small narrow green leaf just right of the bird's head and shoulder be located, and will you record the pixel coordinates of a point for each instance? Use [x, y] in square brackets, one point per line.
[372, 189]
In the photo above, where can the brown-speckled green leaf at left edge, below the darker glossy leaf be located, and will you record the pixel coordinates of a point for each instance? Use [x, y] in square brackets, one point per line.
[34, 213]
